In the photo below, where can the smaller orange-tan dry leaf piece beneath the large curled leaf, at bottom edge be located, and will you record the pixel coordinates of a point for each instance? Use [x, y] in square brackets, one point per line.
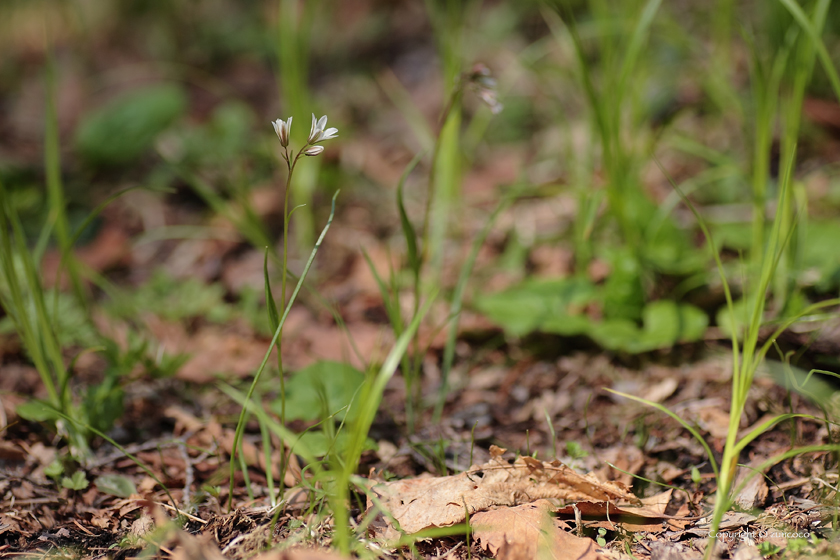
[528, 532]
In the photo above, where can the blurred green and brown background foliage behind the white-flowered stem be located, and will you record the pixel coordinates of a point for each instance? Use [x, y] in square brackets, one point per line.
[174, 99]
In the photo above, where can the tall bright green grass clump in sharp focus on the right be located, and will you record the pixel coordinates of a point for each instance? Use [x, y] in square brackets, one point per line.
[771, 252]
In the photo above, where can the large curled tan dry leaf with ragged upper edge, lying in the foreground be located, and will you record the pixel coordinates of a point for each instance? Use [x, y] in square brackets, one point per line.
[442, 502]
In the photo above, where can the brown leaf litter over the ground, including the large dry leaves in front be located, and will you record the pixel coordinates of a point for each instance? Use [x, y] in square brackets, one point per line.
[526, 508]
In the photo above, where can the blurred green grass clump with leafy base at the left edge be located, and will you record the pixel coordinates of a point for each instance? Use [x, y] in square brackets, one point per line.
[48, 322]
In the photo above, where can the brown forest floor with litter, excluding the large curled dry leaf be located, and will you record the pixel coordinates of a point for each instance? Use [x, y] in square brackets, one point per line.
[502, 388]
